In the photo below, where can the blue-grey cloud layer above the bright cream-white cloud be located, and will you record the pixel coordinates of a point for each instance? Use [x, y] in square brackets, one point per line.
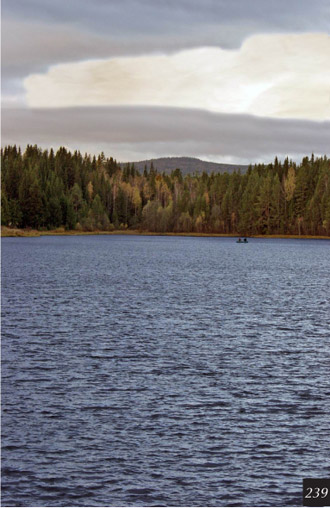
[39, 33]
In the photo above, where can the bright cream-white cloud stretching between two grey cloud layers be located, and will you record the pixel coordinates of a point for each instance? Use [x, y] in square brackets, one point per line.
[279, 76]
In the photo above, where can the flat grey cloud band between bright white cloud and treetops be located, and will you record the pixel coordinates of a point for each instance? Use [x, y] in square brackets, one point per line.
[132, 132]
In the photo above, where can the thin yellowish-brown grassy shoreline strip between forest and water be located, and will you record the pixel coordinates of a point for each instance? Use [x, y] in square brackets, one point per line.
[33, 233]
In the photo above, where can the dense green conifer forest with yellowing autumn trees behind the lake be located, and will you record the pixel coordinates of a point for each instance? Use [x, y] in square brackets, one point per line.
[43, 189]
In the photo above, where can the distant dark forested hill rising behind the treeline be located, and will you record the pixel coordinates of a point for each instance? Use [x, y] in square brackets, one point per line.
[186, 165]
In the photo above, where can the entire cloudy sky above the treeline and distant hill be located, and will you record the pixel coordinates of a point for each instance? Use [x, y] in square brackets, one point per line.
[235, 81]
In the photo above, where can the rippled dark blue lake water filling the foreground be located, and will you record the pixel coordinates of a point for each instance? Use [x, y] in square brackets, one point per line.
[164, 371]
